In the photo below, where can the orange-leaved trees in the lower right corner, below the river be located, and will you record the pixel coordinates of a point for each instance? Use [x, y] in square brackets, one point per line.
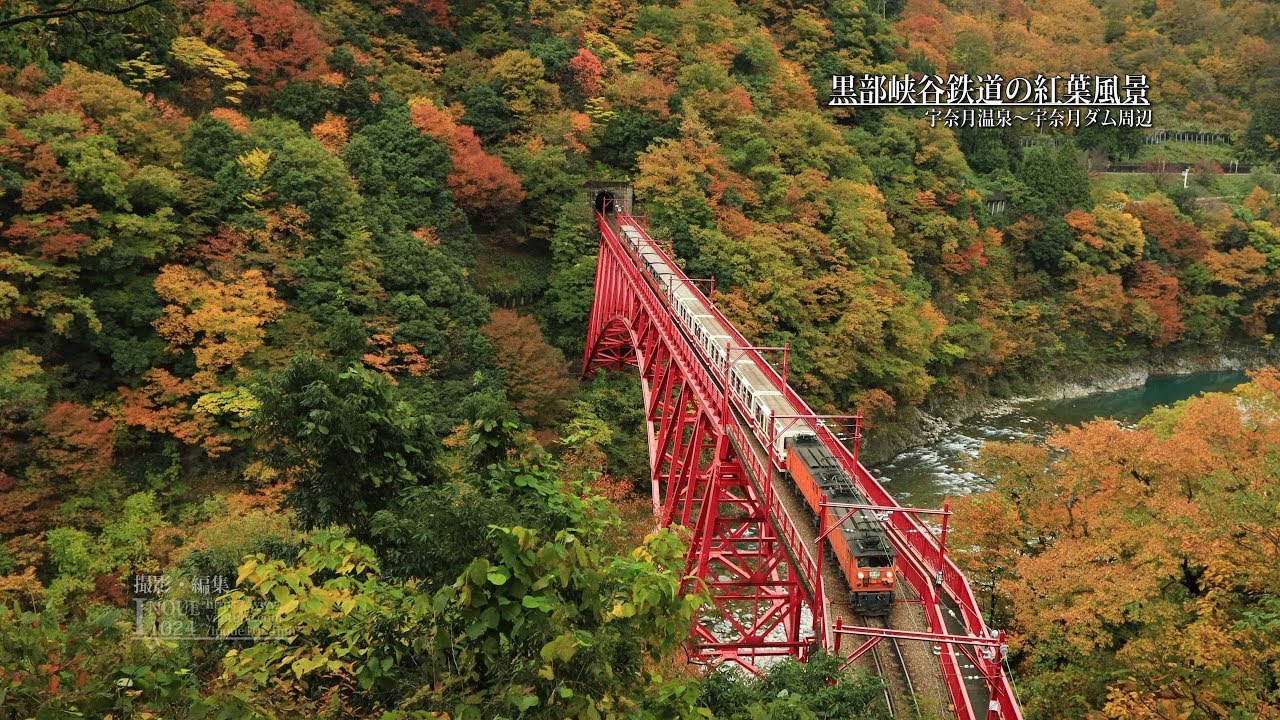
[1127, 549]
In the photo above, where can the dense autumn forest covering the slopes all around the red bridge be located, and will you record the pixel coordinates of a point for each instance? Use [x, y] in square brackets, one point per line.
[292, 295]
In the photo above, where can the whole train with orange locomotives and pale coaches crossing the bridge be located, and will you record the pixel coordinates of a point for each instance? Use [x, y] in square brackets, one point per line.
[862, 549]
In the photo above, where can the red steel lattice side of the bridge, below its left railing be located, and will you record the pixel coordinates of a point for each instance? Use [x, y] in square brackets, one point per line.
[698, 480]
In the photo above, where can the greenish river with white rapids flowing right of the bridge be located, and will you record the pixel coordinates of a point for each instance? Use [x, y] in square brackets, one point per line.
[922, 477]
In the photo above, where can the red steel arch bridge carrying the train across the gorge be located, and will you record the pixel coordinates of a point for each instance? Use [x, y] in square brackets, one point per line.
[717, 471]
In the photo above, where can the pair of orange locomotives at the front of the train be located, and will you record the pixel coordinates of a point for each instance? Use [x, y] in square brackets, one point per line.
[861, 546]
